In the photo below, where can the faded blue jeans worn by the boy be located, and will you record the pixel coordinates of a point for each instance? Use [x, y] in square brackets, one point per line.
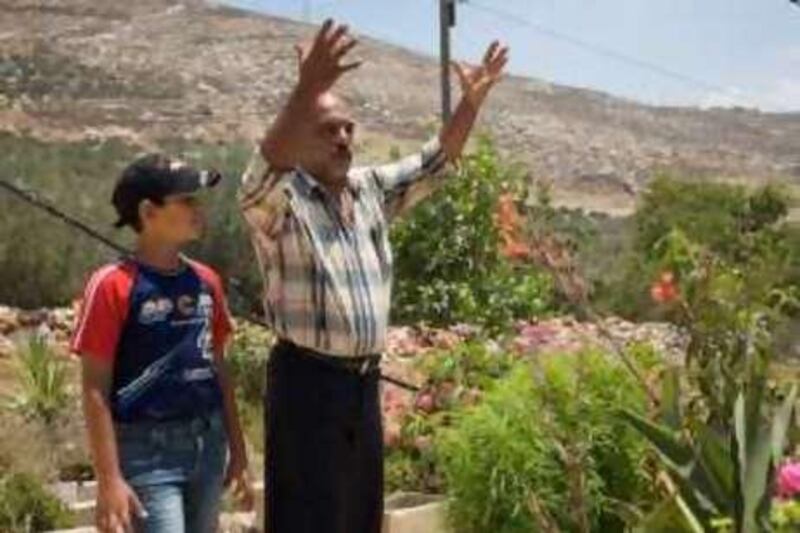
[177, 470]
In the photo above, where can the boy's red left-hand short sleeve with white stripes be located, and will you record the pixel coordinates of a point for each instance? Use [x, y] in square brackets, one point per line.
[102, 314]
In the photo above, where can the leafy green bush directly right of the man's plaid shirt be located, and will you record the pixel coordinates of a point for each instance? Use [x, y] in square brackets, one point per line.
[448, 264]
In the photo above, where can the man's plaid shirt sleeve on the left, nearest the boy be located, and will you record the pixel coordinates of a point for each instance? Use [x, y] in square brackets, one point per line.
[261, 197]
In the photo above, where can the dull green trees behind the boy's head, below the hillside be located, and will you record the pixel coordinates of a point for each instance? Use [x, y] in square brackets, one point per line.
[45, 263]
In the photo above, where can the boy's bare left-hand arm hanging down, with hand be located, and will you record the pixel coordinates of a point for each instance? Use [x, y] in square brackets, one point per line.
[116, 501]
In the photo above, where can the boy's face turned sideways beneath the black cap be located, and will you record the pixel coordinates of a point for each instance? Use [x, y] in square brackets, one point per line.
[178, 220]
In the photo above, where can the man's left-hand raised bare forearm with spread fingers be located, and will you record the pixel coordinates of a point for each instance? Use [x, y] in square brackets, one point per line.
[320, 66]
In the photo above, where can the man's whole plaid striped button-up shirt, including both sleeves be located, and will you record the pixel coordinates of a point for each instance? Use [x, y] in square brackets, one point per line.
[327, 282]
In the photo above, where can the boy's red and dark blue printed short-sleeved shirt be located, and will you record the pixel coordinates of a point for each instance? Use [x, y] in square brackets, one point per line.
[160, 331]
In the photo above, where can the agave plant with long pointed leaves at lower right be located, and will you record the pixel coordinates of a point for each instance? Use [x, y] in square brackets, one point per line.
[718, 474]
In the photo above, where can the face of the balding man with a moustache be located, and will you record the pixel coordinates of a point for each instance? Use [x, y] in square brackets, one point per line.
[328, 154]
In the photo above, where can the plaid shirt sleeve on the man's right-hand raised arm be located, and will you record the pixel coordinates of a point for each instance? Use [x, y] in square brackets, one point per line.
[406, 182]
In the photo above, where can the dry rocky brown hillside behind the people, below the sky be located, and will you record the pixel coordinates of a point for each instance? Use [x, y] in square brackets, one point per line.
[155, 69]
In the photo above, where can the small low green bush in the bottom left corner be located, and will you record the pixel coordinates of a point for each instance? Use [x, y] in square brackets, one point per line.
[25, 506]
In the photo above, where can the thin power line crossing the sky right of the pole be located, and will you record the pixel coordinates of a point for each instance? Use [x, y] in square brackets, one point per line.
[599, 49]
